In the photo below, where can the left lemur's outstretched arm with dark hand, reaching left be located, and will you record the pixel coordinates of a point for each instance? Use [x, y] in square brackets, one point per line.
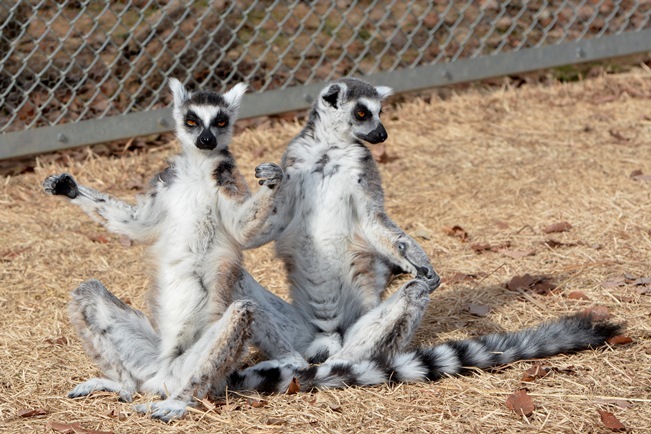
[140, 222]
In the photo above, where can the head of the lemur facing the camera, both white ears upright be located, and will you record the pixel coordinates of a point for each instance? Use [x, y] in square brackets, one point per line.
[204, 120]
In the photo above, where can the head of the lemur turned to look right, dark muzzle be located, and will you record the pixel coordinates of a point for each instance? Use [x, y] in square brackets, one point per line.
[351, 108]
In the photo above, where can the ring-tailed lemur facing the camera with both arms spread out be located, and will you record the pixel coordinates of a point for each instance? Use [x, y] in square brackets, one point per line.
[198, 217]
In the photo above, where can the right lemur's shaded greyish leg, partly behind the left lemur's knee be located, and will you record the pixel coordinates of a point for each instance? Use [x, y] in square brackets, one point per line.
[279, 329]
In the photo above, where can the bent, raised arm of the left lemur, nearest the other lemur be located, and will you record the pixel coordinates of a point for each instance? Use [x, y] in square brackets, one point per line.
[247, 214]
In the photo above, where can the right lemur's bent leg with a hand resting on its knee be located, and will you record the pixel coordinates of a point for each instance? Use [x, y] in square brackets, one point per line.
[388, 328]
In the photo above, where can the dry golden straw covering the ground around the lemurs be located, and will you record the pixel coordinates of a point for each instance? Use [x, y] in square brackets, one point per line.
[501, 165]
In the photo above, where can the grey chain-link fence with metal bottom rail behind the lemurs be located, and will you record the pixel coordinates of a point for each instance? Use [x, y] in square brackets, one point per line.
[68, 61]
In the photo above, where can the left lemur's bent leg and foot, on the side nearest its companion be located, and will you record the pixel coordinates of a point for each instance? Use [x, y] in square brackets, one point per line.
[209, 360]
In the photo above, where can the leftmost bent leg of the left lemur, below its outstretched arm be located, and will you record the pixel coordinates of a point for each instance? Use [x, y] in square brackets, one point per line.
[117, 337]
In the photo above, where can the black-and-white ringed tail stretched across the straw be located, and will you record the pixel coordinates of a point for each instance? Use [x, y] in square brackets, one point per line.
[564, 335]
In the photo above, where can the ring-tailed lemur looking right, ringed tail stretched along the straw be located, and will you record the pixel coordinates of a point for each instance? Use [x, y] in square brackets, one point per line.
[340, 249]
